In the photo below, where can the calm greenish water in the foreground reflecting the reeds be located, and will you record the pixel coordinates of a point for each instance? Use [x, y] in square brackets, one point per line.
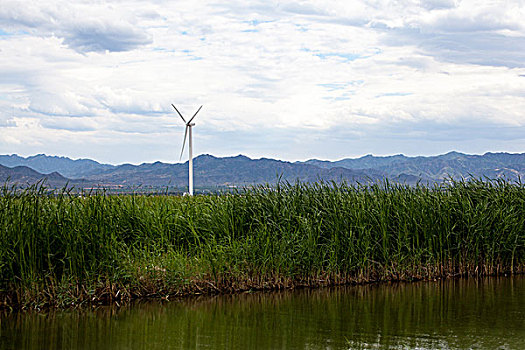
[455, 314]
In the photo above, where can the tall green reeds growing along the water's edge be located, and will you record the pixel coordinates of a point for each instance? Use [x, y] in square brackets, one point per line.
[65, 249]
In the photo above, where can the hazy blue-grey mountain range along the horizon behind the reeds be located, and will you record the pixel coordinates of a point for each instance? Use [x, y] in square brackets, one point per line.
[240, 170]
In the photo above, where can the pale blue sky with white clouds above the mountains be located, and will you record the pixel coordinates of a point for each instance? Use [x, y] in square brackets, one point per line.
[292, 80]
